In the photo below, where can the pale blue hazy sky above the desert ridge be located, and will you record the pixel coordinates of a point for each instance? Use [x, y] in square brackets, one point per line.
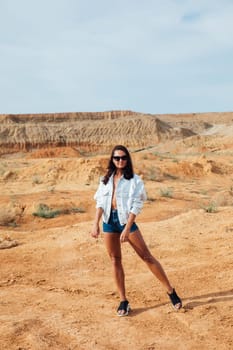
[150, 56]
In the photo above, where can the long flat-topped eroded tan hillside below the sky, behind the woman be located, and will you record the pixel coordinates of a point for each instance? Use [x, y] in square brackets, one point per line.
[87, 131]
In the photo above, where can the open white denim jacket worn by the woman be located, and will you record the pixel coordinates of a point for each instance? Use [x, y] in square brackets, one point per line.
[130, 195]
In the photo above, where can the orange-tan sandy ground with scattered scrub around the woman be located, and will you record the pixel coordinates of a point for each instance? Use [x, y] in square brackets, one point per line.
[56, 285]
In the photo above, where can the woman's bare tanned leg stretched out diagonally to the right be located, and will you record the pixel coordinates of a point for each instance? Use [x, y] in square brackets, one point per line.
[137, 242]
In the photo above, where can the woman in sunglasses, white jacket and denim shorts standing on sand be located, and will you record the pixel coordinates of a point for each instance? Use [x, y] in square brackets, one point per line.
[119, 199]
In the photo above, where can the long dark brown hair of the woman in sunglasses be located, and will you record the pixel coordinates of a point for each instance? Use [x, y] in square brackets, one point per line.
[128, 172]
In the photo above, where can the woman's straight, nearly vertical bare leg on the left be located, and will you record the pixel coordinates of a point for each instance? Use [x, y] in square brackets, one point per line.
[113, 245]
